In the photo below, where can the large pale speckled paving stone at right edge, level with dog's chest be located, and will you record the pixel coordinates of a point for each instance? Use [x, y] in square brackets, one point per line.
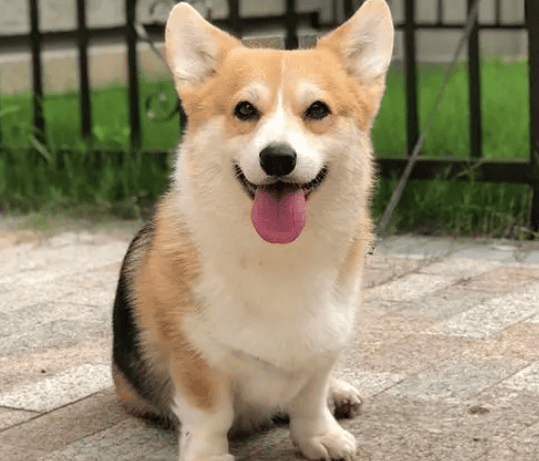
[494, 315]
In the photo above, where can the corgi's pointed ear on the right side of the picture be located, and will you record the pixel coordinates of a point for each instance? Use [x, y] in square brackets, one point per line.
[365, 42]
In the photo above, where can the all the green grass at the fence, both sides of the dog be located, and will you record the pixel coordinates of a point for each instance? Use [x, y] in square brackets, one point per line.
[50, 179]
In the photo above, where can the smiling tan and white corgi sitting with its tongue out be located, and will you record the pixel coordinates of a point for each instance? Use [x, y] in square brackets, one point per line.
[236, 299]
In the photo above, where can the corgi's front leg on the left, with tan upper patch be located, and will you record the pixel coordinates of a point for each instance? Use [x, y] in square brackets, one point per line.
[203, 404]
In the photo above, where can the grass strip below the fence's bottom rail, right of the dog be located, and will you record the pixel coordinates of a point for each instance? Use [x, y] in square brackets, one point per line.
[456, 208]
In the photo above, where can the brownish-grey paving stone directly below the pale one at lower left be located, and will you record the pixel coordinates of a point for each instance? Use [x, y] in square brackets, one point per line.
[63, 426]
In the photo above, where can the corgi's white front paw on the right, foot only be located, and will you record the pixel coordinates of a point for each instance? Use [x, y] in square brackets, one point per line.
[337, 444]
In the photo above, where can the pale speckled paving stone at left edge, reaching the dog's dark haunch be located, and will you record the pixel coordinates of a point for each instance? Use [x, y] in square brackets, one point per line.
[58, 390]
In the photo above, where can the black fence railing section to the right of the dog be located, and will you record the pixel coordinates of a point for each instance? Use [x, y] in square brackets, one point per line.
[511, 171]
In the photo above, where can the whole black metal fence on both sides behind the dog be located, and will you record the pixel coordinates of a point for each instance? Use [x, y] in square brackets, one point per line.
[514, 171]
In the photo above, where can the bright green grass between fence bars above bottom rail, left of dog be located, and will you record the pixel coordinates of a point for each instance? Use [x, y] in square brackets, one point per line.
[110, 118]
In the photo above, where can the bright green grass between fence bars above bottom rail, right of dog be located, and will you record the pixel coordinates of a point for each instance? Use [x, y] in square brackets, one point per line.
[504, 112]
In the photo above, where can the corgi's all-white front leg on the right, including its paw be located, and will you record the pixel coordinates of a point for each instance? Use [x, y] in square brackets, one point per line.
[313, 428]
